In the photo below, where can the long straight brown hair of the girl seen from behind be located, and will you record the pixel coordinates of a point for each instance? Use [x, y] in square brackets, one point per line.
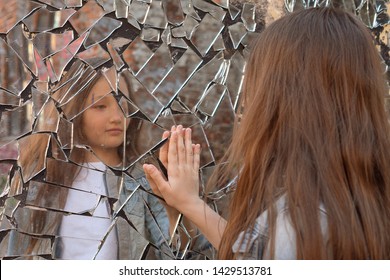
[314, 129]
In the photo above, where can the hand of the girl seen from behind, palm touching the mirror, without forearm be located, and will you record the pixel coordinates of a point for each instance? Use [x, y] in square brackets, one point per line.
[183, 160]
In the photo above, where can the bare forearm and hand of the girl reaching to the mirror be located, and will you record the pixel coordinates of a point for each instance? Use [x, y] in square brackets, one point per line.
[181, 191]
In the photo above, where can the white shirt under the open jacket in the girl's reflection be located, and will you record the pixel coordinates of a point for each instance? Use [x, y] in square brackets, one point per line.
[81, 235]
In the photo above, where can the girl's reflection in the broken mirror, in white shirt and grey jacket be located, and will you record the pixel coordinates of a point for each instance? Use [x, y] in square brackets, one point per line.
[83, 207]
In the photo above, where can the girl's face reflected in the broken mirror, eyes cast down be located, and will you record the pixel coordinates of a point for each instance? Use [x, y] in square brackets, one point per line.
[103, 123]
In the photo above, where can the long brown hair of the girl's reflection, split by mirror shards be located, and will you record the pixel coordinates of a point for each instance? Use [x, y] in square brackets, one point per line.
[56, 197]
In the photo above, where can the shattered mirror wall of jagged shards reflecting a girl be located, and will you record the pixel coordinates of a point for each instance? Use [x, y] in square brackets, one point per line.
[154, 64]
